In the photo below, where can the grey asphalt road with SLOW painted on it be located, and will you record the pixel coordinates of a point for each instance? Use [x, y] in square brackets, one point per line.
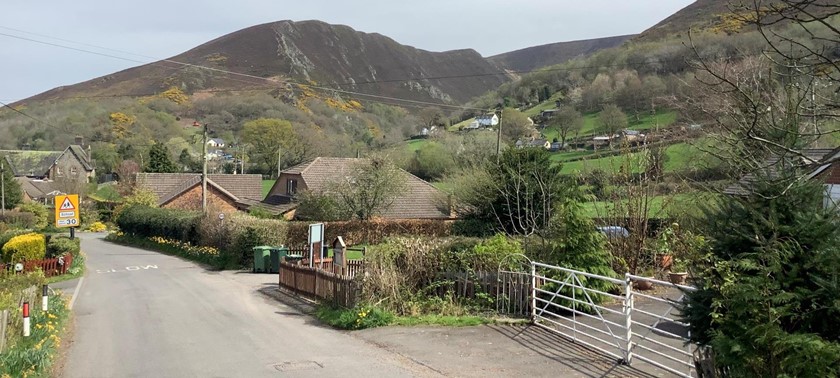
[144, 314]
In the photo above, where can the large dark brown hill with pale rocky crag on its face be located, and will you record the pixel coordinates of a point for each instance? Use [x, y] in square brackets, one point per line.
[309, 52]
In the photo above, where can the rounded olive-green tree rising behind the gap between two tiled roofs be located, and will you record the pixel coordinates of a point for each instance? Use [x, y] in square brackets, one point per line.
[271, 140]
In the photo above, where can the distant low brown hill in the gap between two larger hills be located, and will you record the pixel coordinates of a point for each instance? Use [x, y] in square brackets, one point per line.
[531, 58]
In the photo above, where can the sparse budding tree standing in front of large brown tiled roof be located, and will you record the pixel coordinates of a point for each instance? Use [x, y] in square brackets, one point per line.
[371, 187]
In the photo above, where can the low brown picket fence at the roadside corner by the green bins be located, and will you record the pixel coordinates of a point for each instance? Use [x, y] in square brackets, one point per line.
[341, 290]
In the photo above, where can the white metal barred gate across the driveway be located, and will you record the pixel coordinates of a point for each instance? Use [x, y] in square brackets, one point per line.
[564, 301]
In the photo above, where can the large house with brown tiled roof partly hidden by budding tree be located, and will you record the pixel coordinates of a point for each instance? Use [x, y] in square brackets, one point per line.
[420, 200]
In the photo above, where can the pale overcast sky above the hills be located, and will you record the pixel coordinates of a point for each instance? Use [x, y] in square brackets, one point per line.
[139, 32]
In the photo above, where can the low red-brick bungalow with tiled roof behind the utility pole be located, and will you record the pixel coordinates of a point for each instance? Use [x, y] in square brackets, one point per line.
[183, 190]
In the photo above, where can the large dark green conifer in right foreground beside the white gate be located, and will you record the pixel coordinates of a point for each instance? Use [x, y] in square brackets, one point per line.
[769, 289]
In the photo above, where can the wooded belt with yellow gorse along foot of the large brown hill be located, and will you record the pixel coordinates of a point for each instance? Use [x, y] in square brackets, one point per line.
[120, 129]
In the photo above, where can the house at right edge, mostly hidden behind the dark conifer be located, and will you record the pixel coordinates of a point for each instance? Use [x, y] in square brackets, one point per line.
[822, 164]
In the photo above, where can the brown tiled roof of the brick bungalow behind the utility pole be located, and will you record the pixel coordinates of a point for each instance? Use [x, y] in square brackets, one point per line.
[169, 185]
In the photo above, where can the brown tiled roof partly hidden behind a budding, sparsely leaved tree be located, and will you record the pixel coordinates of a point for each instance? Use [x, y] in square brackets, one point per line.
[420, 200]
